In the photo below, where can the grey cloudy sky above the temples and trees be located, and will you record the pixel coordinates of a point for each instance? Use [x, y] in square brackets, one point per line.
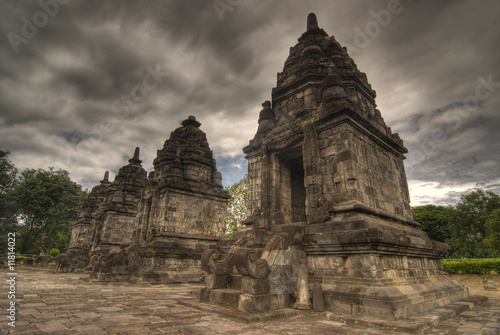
[82, 83]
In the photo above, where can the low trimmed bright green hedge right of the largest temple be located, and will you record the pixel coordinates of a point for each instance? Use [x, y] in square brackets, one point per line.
[472, 266]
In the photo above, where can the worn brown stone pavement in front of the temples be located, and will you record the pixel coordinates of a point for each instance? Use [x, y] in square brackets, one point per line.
[68, 303]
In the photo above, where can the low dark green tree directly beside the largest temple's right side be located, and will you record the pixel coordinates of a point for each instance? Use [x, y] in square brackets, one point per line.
[433, 220]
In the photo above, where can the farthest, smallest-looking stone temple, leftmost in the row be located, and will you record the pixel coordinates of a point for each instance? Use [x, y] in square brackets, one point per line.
[77, 257]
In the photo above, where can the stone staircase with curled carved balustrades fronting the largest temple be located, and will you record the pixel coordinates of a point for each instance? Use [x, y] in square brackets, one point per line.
[256, 274]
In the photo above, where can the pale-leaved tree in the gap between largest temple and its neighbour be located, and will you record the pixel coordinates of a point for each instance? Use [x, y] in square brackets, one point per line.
[237, 206]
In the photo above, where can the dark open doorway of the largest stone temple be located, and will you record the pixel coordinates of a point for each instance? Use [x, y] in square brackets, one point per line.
[298, 191]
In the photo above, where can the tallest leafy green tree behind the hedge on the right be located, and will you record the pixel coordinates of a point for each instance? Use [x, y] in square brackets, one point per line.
[467, 224]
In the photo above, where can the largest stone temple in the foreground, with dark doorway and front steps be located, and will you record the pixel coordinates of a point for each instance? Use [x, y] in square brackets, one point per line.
[327, 188]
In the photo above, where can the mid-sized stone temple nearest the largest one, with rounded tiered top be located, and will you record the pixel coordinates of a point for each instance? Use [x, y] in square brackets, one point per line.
[182, 211]
